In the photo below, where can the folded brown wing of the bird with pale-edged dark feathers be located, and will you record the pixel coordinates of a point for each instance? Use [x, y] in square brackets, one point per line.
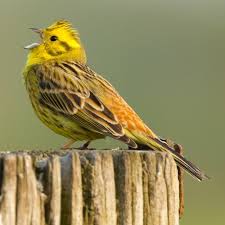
[63, 90]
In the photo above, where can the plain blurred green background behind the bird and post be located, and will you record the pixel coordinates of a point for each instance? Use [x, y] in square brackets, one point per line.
[170, 54]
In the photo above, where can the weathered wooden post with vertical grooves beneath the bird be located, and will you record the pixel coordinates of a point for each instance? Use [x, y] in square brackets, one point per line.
[88, 188]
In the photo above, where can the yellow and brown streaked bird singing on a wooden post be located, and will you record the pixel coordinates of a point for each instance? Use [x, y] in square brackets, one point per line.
[76, 102]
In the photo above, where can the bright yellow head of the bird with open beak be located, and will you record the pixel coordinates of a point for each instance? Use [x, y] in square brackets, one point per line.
[58, 42]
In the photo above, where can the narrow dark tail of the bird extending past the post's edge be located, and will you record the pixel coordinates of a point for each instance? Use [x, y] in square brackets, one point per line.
[188, 166]
